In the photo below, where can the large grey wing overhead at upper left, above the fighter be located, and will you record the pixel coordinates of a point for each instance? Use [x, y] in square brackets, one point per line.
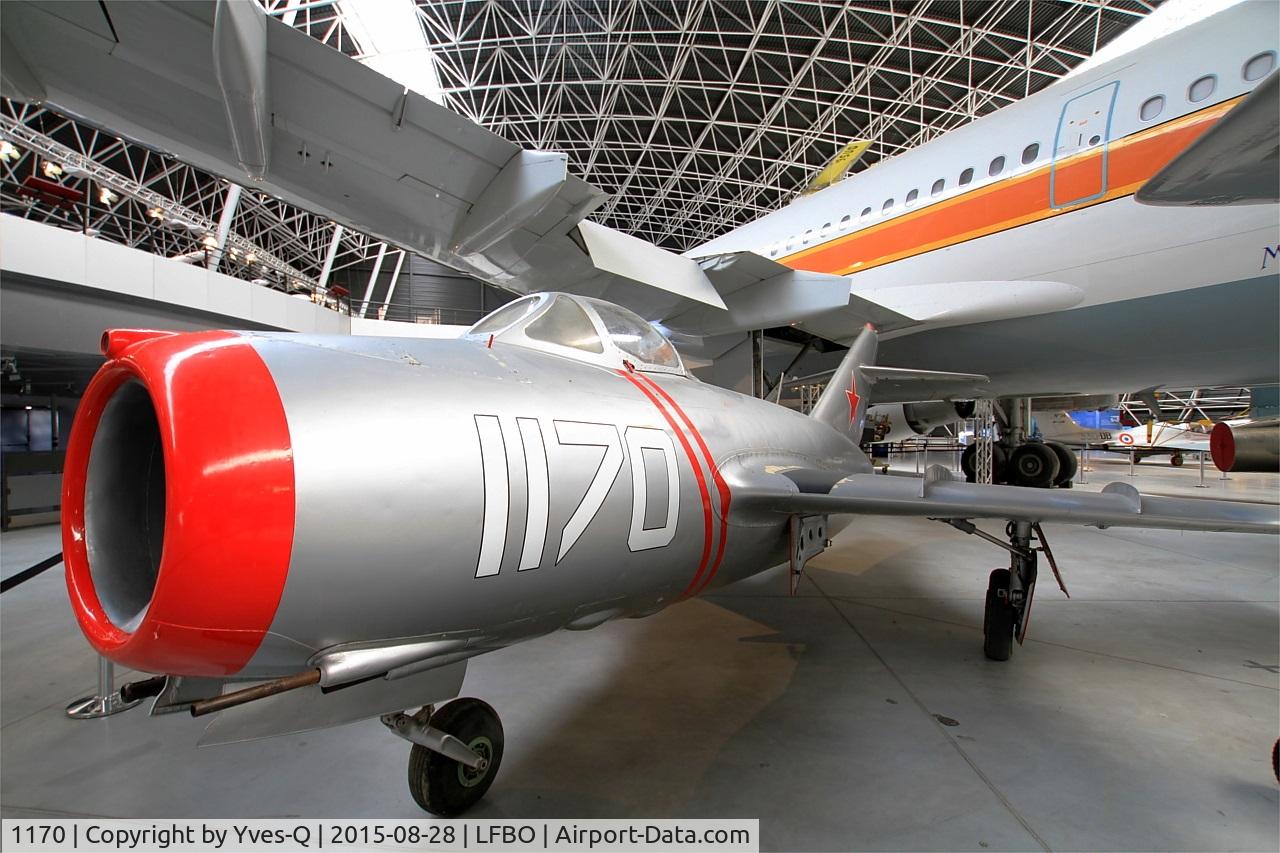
[339, 139]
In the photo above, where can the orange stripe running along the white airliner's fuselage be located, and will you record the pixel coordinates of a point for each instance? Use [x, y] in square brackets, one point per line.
[1023, 199]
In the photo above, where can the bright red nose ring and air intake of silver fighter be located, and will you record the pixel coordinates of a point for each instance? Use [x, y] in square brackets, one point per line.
[179, 503]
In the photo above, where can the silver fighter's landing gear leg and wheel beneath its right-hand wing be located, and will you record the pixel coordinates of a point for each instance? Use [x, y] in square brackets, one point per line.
[1011, 591]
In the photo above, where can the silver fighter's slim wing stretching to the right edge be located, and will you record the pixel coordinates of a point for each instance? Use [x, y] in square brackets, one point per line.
[938, 496]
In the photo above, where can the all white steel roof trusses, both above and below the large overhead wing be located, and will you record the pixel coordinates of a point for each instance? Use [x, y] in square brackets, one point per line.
[696, 116]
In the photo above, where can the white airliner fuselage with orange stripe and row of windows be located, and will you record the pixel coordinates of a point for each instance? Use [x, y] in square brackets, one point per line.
[1021, 232]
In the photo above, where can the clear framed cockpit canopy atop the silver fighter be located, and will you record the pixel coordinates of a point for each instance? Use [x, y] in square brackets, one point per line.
[582, 329]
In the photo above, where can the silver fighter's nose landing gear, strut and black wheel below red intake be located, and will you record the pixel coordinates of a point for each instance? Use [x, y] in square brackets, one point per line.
[456, 755]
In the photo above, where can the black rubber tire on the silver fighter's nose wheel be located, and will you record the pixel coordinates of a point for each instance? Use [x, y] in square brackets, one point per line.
[442, 786]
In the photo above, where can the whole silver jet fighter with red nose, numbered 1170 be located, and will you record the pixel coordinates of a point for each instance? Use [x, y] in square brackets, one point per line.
[555, 468]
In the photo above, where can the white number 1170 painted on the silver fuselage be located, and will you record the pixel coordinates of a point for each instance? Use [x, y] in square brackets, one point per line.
[525, 437]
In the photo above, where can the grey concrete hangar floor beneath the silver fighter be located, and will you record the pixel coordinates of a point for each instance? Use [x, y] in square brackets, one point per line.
[860, 715]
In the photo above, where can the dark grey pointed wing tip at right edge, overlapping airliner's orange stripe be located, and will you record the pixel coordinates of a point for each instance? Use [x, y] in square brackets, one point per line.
[1236, 163]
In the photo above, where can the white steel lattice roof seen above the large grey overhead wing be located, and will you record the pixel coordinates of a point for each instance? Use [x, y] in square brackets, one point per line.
[698, 116]
